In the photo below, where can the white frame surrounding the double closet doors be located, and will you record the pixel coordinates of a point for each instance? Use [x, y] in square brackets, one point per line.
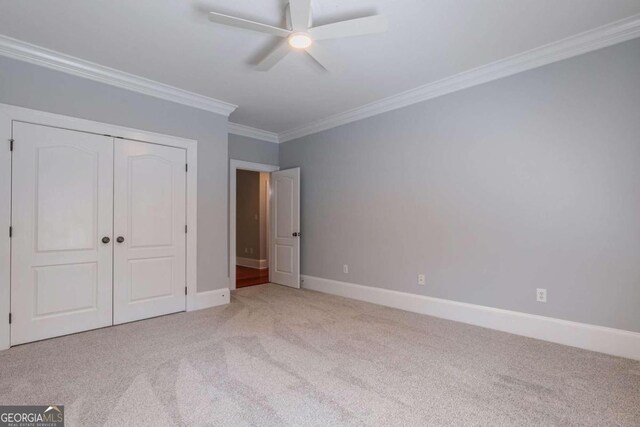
[11, 113]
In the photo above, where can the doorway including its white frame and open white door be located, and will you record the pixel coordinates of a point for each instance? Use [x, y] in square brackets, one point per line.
[277, 260]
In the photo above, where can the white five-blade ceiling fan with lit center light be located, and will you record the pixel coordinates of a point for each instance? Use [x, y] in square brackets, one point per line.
[301, 35]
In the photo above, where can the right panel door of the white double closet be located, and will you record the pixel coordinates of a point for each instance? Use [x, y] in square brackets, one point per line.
[149, 230]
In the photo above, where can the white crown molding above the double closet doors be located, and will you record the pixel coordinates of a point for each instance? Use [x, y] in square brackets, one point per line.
[37, 55]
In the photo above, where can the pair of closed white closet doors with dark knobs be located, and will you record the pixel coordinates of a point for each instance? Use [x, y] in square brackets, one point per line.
[98, 228]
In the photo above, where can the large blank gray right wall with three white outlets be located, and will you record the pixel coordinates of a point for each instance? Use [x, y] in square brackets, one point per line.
[529, 181]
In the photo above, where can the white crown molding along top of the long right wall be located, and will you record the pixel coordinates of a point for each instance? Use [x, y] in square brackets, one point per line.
[607, 35]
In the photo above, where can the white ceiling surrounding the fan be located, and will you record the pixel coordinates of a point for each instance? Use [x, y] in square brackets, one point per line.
[171, 41]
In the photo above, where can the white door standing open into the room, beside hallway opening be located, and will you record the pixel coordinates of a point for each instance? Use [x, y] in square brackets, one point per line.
[285, 227]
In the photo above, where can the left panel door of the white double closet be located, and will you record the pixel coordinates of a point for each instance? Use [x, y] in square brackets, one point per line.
[62, 198]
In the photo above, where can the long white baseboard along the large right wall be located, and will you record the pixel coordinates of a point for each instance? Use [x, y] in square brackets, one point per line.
[602, 339]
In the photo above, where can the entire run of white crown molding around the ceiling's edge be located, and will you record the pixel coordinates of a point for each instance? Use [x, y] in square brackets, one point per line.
[607, 35]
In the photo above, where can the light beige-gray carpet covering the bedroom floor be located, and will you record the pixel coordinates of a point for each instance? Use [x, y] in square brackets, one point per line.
[278, 356]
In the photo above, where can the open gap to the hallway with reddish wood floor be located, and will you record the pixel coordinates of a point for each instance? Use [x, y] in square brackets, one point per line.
[252, 228]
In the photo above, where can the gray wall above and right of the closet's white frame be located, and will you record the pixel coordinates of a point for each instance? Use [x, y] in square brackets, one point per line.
[30, 86]
